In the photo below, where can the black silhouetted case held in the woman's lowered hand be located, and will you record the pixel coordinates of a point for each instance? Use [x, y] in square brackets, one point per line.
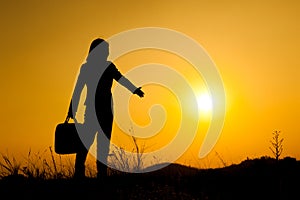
[66, 139]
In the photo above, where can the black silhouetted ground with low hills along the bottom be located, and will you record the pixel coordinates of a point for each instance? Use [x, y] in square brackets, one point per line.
[262, 178]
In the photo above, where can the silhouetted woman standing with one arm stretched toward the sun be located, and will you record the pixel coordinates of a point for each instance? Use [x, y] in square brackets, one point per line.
[97, 75]
